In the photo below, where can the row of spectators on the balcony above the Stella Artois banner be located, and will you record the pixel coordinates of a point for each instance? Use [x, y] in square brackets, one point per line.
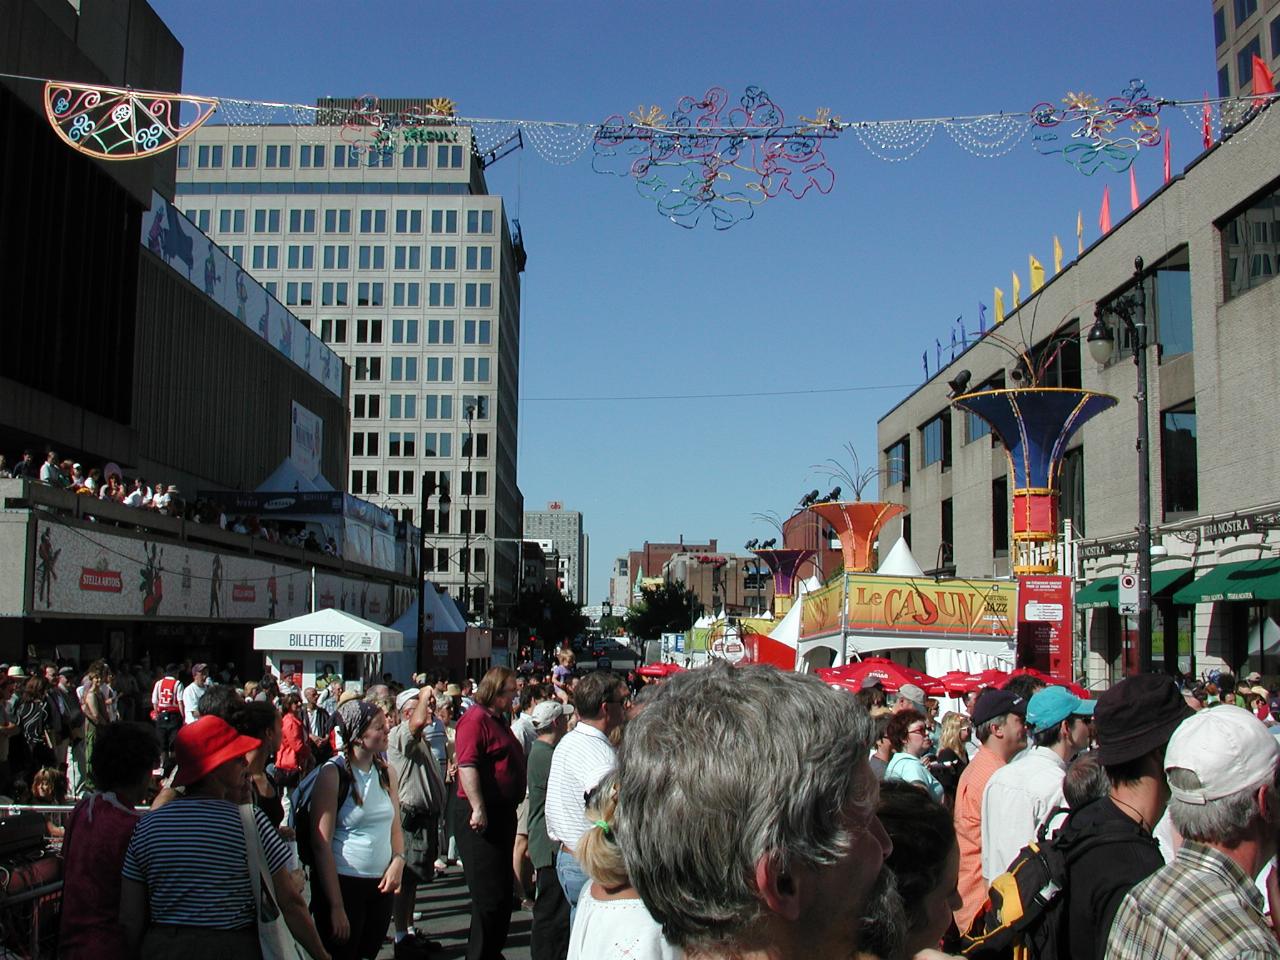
[163, 499]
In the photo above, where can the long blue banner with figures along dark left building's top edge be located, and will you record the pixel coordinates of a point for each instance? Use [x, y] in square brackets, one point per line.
[180, 244]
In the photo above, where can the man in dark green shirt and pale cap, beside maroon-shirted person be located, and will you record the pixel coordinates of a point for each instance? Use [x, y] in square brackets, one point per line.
[550, 935]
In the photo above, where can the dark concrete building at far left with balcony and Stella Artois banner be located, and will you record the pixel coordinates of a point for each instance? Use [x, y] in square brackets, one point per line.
[113, 355]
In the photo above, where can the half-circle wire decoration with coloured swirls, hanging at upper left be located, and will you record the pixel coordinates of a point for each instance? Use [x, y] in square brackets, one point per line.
[115, 124]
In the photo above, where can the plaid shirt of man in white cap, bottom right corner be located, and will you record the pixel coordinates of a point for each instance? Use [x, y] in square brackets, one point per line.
[1201, 907]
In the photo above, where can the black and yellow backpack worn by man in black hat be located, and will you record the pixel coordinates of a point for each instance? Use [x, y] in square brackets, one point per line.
[1026, 911]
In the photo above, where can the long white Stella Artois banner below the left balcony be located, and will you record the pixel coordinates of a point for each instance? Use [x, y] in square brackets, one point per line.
[97, 574]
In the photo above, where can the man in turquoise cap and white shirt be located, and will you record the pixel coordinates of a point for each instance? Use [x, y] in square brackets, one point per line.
[1020, 797]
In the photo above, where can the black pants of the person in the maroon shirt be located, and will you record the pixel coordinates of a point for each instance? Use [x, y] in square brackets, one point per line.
[487, 867]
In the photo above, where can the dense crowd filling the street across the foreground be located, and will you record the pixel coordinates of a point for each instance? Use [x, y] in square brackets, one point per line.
[728, 812]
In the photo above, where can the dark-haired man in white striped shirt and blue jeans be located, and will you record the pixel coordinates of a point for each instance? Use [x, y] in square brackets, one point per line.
[582, 760]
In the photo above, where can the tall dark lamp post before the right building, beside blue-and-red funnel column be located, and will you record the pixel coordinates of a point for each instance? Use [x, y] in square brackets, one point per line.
[1132, 310]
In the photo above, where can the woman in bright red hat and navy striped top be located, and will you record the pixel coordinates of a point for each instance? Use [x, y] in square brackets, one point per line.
[188, 888]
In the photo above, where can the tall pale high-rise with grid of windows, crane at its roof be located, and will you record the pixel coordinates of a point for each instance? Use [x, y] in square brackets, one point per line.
[403, 262]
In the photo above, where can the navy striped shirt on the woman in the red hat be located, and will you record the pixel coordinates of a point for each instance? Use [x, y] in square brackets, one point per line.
[191, 856]
